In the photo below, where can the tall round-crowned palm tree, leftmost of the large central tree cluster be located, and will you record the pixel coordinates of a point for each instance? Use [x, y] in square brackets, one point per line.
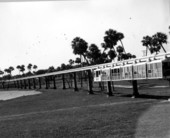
[79, 47]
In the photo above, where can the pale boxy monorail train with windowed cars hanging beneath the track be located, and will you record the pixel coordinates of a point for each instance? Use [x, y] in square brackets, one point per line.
[156, 69]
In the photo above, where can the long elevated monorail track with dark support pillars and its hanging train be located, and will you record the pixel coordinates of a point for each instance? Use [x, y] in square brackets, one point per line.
[149, 67]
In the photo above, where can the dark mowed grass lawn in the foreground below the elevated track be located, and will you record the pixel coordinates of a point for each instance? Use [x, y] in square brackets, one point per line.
[66, 113]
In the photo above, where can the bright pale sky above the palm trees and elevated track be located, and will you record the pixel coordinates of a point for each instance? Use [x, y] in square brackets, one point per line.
[40, 32]
